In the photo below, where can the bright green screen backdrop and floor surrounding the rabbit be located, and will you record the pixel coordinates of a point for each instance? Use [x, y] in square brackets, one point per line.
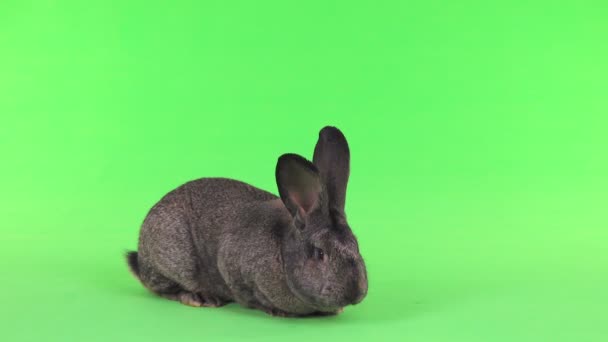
[478, 133]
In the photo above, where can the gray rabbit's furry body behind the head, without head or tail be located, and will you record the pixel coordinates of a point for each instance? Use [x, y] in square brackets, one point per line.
[217, 239]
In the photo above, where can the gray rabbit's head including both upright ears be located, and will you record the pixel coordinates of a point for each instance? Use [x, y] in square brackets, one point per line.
[321, 256]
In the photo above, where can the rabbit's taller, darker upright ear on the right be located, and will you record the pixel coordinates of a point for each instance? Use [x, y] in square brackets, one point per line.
[332, 158]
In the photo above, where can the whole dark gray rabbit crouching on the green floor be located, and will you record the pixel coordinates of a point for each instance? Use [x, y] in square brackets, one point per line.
[213, 241]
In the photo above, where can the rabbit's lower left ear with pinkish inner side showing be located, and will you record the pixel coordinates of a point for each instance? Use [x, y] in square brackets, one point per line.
[299, 184]
